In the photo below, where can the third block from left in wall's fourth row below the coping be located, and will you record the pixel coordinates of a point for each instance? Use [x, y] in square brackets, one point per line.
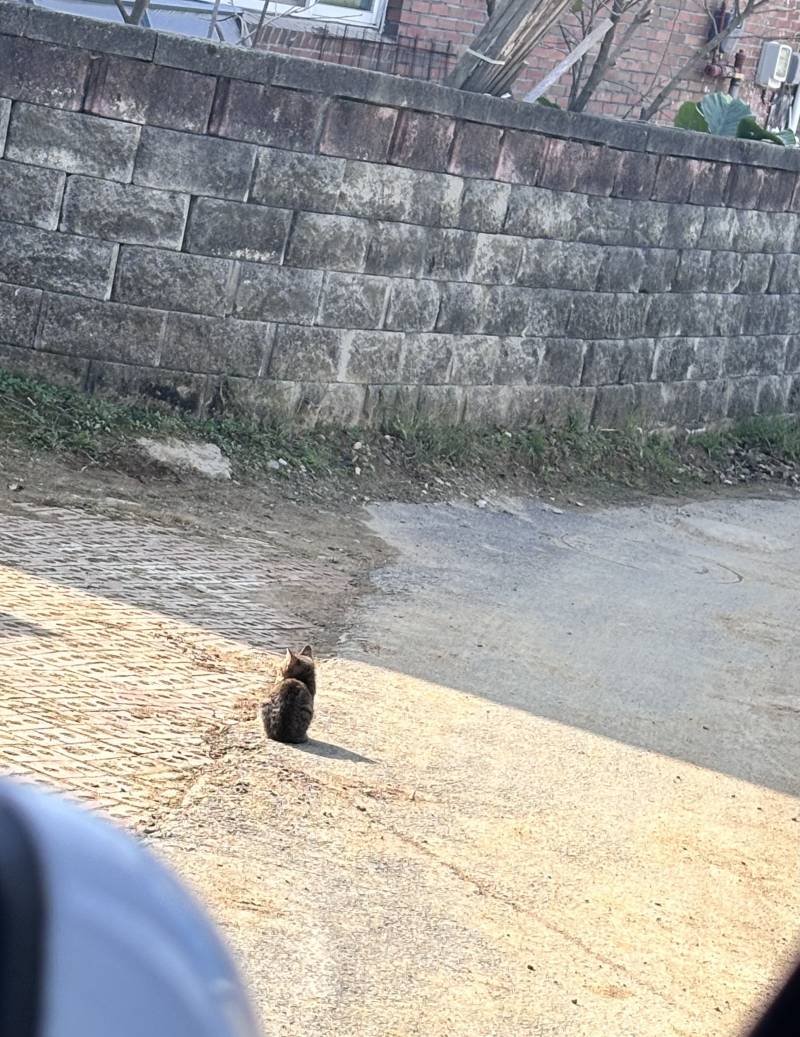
[279, 294]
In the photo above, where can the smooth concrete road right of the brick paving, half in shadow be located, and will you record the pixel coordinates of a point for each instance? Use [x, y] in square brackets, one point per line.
[555, 788]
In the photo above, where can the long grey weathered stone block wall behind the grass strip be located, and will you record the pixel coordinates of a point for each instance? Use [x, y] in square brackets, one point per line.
[231, 231]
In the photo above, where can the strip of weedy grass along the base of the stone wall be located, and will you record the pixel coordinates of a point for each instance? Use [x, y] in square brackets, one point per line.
[47, 418]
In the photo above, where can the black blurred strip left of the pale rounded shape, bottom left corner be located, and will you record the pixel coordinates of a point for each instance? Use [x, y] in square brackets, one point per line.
[22, 931]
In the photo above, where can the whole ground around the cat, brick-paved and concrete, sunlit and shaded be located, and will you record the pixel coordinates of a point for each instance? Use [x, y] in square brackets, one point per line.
[555, 775]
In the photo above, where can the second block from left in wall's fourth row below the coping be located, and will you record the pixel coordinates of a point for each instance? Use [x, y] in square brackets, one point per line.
[174, 282]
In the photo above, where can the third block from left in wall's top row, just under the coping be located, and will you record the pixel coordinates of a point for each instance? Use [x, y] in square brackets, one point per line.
[268, 116]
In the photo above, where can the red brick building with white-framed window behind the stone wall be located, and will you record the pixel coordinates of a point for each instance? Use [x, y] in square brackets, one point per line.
[424, 38]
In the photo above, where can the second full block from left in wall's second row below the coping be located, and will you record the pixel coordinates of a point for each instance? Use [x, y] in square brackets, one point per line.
[200, 165]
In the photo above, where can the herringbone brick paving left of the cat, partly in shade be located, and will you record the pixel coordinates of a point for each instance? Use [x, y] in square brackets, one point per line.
[121, 651]
